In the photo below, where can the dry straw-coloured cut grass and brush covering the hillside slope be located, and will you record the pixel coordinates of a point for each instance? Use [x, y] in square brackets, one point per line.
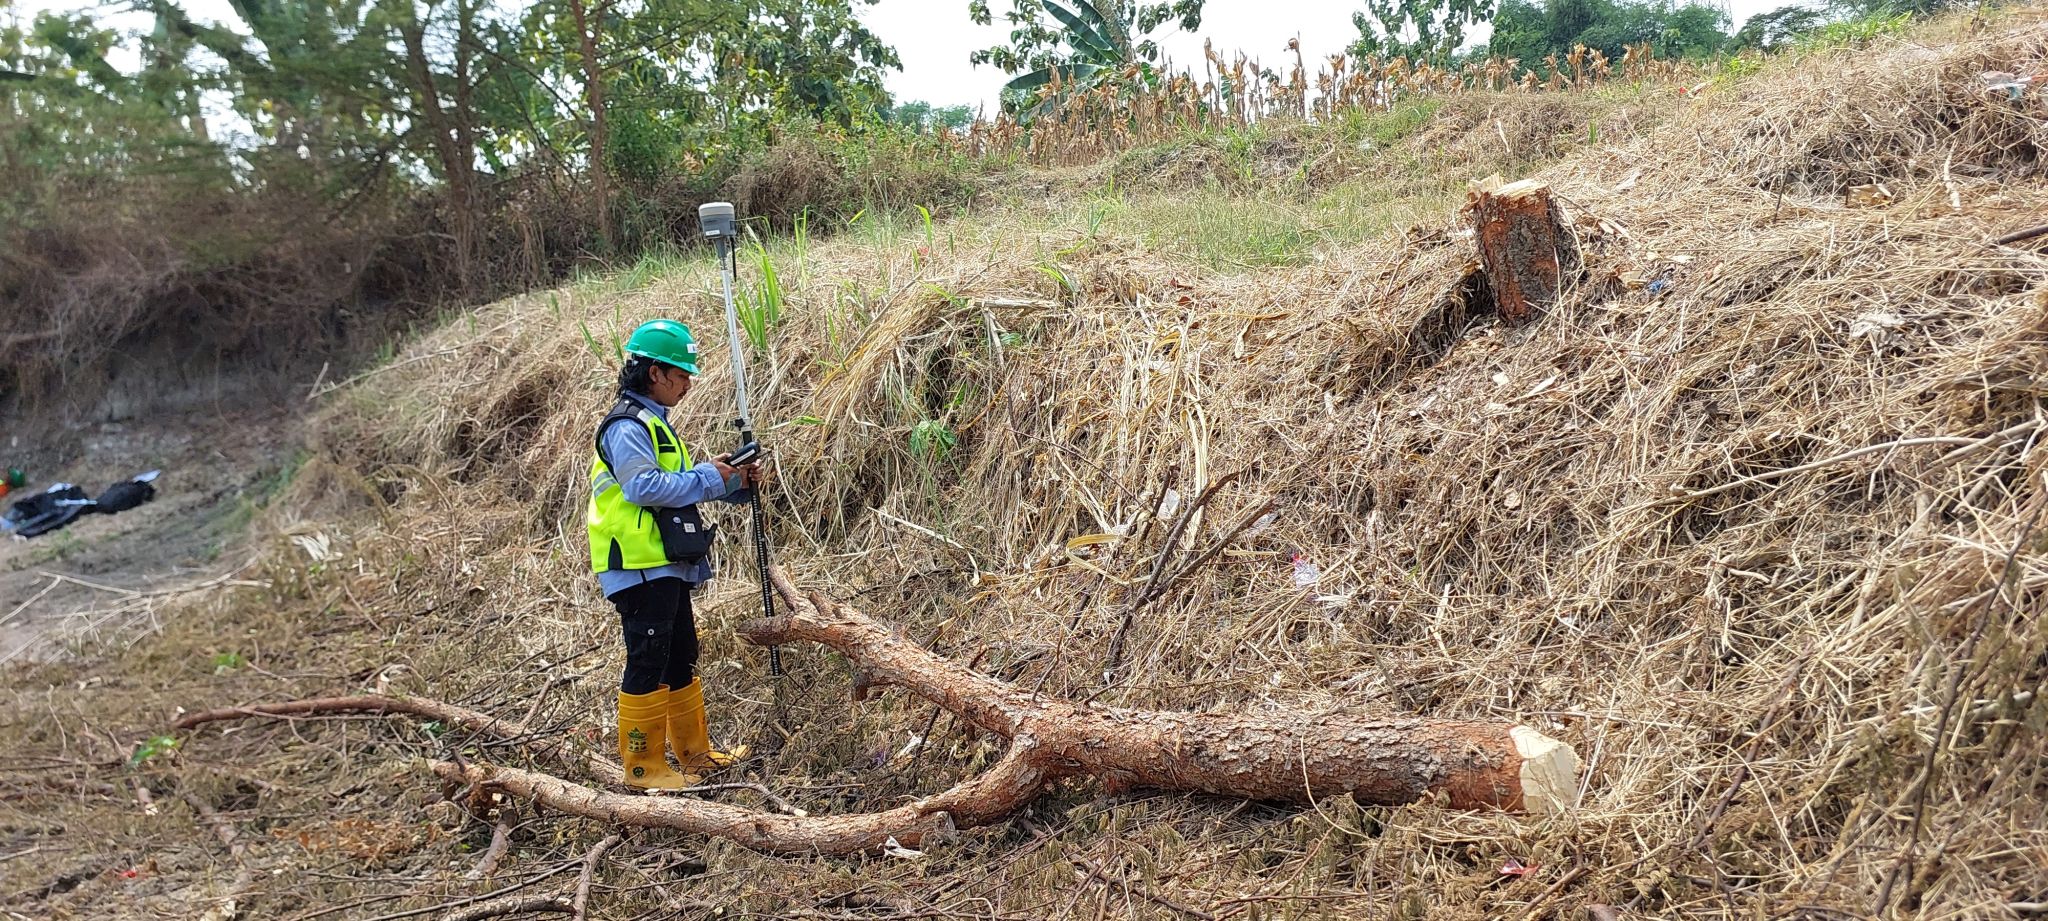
[1754, 519]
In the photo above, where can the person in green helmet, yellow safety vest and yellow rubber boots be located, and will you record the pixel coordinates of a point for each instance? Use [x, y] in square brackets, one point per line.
[652, 550]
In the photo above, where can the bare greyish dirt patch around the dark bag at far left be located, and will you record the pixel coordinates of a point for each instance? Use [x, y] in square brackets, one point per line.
[103, 576]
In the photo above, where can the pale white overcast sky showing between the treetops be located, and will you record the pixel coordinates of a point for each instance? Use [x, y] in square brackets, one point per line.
[935, 38]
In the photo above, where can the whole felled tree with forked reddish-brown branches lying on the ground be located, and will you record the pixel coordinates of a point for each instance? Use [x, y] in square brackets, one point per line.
[1289, 756]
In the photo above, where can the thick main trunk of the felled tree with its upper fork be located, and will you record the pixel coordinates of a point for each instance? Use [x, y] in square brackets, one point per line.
[1283, 756]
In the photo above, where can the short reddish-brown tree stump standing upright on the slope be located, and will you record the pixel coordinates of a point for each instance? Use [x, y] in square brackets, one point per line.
[1525, 247]
